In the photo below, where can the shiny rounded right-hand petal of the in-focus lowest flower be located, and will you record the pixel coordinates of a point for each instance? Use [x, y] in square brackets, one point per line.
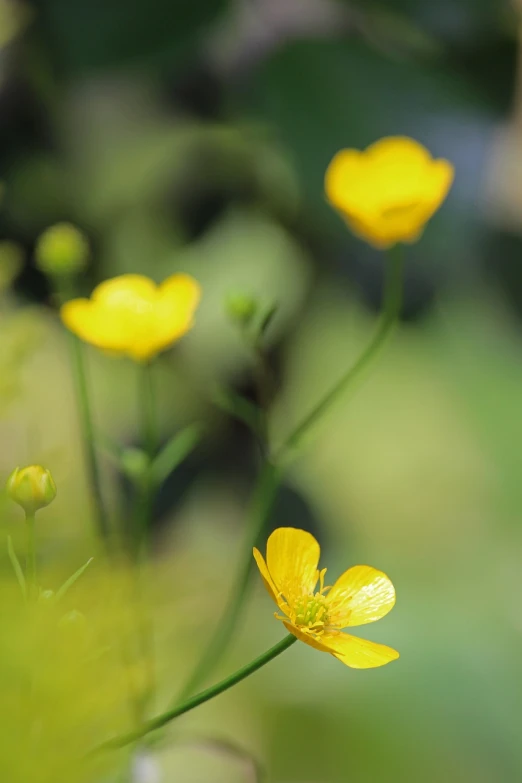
[361, 595]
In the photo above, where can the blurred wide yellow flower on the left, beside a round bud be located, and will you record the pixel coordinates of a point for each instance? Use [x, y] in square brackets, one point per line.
[132, 316]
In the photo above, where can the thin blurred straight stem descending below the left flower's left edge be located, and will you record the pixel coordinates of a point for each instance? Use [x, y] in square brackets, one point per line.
[87, 429]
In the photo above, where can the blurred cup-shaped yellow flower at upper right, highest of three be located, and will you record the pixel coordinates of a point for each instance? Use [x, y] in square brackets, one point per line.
[388, 192]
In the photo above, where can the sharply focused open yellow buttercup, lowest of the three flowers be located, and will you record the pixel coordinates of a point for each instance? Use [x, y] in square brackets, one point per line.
[361, 595]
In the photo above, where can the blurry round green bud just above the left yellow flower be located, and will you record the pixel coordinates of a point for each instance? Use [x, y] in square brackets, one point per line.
[61, 249]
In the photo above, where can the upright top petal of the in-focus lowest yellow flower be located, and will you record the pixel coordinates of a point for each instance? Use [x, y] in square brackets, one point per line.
[292, 557]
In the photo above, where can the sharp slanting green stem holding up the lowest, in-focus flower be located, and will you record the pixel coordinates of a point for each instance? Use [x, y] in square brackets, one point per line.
[201, 698]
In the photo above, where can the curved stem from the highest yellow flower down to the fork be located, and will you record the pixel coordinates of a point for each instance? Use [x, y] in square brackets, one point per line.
[391, 311]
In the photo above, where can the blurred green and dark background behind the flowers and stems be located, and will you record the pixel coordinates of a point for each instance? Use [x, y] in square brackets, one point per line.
[194, 136]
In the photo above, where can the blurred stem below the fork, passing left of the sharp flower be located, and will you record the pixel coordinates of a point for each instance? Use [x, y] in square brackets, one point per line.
[264, 497]
